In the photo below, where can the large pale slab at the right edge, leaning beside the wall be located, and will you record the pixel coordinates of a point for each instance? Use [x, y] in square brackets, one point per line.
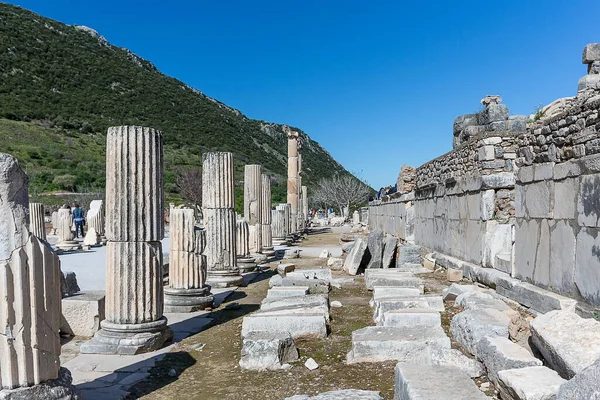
[568, 342]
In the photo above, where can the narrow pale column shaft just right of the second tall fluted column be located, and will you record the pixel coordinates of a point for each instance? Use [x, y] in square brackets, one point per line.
[252, 205]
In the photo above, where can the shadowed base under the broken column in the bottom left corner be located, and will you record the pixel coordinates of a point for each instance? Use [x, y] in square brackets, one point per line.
[60, 388]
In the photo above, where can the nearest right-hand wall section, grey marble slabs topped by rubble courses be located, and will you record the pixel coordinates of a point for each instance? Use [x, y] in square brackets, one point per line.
[558, 201]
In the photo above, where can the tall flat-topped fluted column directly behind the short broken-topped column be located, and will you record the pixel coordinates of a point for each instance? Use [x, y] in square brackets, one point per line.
[218, 208]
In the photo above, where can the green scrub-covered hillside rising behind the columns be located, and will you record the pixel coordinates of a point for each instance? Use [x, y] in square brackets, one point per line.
[62, 86]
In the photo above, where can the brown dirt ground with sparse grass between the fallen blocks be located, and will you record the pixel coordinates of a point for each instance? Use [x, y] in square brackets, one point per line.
[206, 364]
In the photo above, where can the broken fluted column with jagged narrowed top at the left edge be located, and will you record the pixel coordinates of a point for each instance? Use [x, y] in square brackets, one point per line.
[30, 300]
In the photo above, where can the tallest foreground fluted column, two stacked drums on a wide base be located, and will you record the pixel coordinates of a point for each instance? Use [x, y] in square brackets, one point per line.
[134, 227]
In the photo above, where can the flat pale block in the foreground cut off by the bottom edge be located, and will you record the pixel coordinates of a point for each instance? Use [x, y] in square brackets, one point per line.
[429, 382]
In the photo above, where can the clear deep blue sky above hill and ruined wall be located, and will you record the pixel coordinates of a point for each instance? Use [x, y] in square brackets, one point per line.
[377, 83]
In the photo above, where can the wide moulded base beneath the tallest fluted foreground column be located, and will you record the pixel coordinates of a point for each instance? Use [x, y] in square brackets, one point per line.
[128, 339]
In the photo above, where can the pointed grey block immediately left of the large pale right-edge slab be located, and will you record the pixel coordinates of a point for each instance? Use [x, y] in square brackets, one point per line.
[499, 353]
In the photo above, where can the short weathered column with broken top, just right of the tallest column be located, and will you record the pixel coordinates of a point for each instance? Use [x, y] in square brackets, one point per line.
[187, 290]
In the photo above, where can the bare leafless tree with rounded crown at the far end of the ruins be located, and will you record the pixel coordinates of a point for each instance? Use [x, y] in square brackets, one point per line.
[341, 191]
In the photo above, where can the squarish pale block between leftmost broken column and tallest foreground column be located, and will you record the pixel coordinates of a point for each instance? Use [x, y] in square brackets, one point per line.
[82, 313]
